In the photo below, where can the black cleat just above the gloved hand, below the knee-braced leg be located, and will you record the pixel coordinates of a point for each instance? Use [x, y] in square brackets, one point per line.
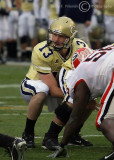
[50, 143]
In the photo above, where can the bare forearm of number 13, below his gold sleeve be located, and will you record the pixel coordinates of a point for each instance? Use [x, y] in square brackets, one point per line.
[50, 80]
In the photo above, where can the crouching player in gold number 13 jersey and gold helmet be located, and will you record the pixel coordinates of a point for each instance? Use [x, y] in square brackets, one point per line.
[41, 82]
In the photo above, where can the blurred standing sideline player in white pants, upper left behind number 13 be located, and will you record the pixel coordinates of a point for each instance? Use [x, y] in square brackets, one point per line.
[29, 10]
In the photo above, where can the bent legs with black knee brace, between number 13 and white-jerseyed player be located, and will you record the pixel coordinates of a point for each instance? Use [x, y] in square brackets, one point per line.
[62, 114]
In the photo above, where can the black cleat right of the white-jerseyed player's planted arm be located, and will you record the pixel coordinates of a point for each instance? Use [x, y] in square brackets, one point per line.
[79, 141]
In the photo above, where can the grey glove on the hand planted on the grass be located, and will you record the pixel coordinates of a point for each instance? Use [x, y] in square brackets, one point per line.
[60, 152]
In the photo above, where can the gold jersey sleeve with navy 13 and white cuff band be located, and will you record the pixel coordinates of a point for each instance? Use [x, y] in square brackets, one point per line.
[41, 58]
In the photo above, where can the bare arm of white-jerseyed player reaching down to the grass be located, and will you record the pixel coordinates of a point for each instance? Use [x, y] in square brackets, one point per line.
[79, 113]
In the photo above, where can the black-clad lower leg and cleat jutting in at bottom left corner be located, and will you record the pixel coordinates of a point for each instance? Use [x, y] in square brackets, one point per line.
[15, 146]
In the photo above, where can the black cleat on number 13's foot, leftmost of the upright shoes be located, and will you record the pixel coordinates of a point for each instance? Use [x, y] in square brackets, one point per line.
[29, 138]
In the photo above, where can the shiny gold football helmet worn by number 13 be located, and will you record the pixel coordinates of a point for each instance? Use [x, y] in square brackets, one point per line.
[62, 26]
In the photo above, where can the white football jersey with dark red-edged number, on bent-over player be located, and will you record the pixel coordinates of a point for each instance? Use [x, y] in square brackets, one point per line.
[96, 71]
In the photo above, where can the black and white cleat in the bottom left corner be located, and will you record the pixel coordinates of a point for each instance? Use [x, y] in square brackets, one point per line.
[17, 150]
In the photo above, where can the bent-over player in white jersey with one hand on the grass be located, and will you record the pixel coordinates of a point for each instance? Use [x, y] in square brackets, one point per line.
[94, 77]
